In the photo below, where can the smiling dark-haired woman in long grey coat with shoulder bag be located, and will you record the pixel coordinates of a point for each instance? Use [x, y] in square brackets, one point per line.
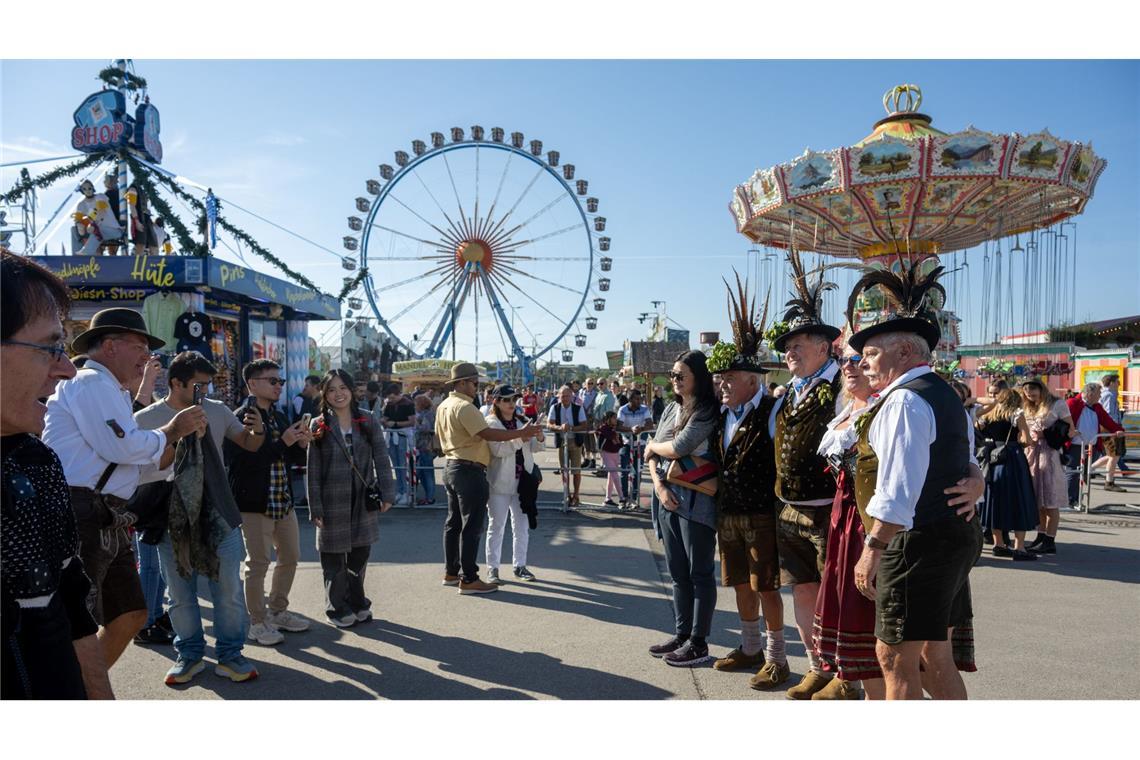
[347, 456]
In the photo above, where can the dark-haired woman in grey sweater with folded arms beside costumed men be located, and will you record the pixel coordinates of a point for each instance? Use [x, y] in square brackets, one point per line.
[688, 521]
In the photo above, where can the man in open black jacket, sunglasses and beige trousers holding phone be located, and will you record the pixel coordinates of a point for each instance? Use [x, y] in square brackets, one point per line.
[265, 495]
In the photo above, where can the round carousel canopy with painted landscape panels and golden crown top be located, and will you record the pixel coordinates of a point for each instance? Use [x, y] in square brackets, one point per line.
[911, 189]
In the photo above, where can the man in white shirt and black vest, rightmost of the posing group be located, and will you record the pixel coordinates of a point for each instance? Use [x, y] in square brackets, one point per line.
[919, 552]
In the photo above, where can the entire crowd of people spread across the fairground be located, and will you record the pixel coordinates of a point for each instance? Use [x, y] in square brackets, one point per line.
[856, 485]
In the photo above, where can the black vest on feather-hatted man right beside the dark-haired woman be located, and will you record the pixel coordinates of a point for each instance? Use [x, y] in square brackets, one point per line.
[748, 468]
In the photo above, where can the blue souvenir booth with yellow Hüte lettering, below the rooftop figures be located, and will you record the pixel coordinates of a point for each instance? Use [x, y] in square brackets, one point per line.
[231, 314]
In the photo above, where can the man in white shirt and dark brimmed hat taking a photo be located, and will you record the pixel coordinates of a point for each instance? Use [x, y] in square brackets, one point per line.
[91, 427]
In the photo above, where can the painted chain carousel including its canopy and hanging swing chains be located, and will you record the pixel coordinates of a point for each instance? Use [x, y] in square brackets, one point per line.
[909, 190]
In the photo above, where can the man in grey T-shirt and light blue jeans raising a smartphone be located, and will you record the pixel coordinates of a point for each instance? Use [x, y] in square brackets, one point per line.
[190, 375]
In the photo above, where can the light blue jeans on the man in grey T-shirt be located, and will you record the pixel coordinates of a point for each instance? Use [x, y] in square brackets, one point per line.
[232, 622]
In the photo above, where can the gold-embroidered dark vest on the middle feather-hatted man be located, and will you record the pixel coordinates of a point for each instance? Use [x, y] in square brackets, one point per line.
[802, 475]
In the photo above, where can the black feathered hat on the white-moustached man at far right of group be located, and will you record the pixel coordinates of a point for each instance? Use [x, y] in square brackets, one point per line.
[910, 293]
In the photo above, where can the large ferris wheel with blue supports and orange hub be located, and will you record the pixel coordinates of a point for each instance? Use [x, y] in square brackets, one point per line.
[481, 249]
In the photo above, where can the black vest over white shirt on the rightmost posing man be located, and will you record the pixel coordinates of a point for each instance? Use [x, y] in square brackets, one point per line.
[950, 454]
